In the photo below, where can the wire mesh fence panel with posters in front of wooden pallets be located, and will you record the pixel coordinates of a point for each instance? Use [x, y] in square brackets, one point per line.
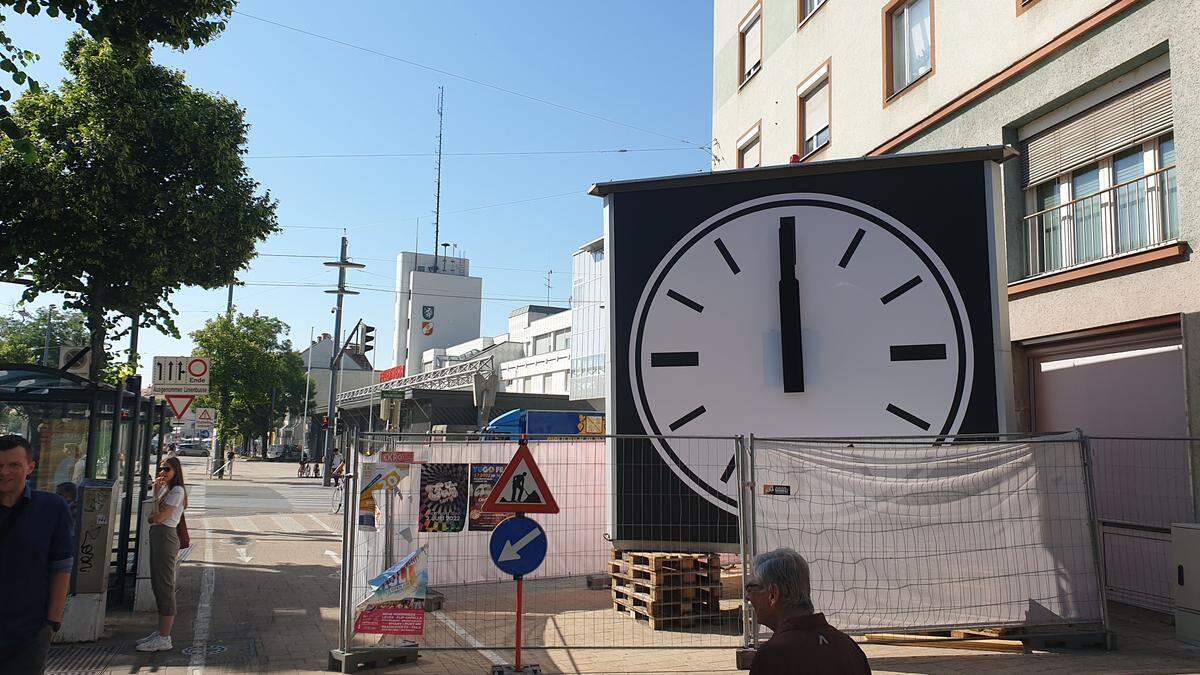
[436, 507]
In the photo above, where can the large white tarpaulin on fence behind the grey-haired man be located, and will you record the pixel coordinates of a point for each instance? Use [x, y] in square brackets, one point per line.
[907, 536]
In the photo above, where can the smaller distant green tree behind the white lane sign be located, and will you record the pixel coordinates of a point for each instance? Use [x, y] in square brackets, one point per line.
[253, 367]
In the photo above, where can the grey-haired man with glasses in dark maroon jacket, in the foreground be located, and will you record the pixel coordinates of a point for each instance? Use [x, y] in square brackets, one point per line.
[803, 642]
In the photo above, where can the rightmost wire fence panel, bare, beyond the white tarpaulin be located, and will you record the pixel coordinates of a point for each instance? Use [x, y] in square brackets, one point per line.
[1142, 487]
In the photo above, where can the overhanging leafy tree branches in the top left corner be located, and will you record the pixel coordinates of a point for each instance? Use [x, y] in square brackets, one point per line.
[178, 23]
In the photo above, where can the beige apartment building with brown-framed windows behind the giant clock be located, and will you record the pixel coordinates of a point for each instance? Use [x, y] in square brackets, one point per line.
[1102, 206]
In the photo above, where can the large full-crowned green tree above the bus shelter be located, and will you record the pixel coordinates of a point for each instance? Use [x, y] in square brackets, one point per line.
[139, 188]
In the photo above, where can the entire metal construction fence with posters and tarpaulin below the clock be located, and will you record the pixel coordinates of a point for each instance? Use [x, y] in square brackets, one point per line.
[903, 535]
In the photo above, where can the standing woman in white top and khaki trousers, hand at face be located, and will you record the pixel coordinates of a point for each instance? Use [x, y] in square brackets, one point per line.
[169, 534]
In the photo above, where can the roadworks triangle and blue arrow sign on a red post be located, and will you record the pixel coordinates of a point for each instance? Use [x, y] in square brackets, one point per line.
[519, 545]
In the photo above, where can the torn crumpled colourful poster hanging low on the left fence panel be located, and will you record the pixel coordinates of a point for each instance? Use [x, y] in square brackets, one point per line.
[397, 606]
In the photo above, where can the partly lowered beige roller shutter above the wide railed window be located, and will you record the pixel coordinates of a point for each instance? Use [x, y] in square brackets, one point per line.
[1125, 120]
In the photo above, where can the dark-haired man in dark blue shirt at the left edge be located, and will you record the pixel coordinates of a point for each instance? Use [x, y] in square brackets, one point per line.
[35, 561]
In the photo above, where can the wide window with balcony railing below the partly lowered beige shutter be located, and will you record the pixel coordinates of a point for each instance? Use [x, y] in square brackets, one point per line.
[1115, 205]
